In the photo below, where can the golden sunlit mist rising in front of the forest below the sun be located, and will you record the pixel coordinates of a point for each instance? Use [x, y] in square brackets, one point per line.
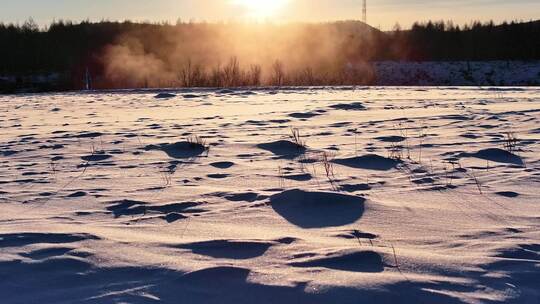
[240, 54]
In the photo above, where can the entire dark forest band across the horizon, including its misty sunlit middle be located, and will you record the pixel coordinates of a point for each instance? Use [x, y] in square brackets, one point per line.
[135, 55]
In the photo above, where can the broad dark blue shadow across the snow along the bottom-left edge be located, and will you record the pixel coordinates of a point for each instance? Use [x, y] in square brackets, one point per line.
[73, 280]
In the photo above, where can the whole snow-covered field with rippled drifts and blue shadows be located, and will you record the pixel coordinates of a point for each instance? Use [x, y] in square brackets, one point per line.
[401, 195]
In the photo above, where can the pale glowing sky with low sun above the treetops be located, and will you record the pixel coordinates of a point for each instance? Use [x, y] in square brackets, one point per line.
[383, 14]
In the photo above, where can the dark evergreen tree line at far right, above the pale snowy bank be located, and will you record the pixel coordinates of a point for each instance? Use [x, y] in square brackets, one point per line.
[444, 41]
